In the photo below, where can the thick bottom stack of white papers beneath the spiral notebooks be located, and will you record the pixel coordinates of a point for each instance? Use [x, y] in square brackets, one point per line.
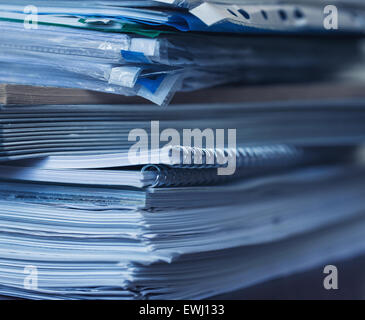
[191, 242]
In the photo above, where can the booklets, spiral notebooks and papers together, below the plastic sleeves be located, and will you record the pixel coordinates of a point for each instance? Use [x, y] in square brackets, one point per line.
[80, 220]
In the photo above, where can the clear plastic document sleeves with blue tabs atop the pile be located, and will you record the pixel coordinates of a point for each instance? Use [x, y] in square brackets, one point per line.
[152, 49]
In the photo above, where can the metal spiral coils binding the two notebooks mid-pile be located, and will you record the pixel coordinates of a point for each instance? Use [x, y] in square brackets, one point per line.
[256, 159]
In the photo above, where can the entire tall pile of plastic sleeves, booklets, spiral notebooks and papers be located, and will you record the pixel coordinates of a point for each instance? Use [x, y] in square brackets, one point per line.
[252, 170]
